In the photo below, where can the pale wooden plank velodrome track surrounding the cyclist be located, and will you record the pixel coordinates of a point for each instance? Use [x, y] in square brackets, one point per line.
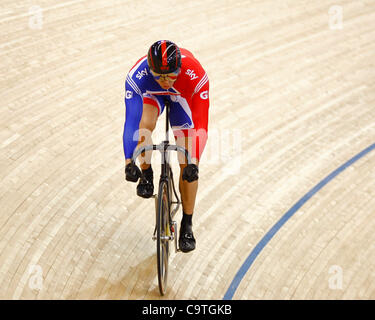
[292, 97]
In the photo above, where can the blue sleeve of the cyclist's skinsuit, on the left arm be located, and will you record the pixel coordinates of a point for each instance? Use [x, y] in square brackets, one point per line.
[134, 109]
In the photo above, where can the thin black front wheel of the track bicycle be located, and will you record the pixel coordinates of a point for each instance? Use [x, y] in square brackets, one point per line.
[163, 236]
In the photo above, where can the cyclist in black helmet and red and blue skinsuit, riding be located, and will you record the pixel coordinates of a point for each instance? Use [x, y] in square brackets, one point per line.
[172, 73]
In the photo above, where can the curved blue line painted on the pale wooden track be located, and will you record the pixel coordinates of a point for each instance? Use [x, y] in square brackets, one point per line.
[263, 242]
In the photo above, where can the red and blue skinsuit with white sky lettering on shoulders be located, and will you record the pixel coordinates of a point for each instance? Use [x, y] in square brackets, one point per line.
[189, 101]
